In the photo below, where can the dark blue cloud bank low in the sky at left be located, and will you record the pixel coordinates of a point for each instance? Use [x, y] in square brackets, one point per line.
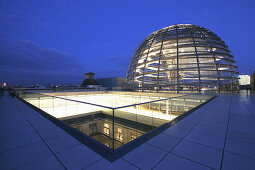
[25, 58]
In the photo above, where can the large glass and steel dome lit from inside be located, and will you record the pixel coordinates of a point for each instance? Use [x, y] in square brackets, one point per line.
[182, 58]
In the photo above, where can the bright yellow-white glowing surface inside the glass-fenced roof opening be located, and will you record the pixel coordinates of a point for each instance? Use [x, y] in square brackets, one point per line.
[54, 103]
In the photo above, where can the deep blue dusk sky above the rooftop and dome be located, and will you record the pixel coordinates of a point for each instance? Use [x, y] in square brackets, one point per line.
[57, 41]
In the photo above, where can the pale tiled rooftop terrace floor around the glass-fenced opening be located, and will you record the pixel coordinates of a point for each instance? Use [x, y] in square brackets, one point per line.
[219, 135]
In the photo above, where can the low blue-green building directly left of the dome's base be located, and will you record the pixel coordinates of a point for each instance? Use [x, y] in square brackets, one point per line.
[114, 83]
